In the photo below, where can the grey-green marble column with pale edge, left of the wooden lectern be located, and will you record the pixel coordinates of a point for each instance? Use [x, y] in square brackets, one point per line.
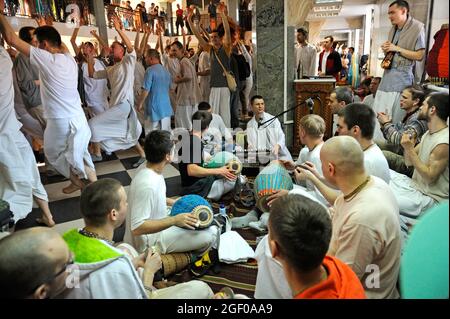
[276, 55]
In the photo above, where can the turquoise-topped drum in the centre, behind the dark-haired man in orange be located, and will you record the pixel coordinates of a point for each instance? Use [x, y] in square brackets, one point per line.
[272, 178]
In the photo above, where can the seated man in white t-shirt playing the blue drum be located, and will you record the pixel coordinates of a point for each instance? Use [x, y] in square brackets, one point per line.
[148, 223]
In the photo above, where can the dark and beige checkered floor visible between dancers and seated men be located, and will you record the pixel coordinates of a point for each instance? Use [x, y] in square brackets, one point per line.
[66, 207]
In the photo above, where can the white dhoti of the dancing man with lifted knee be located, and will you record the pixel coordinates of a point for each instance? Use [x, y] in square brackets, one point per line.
[117, 128]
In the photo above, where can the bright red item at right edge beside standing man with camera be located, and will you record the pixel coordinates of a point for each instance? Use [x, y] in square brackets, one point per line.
[437, 64]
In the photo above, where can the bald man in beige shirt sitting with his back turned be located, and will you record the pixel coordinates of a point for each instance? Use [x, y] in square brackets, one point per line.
[365, 226]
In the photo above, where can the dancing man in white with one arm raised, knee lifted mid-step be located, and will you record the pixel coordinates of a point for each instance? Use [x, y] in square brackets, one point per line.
[117, 128]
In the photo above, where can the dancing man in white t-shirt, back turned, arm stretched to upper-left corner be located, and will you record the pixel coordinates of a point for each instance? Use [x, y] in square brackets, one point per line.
[67, 134]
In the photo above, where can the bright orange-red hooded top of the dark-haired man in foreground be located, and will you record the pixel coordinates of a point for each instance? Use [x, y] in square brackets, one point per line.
[341, 283]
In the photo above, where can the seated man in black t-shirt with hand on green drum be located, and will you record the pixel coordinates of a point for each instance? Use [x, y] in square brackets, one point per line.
[195, 179]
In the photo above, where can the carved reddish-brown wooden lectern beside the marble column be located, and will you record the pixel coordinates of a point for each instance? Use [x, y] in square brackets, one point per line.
[310, 88]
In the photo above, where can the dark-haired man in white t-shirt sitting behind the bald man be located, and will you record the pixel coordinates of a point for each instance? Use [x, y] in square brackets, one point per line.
[356, 120]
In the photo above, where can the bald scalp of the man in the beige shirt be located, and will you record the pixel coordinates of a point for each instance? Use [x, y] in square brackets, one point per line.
[345, 153]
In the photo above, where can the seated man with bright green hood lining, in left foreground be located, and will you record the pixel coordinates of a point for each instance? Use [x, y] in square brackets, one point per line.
[106, 272]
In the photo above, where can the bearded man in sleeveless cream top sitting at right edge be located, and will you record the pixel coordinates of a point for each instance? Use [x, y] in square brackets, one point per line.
[429, 183]
